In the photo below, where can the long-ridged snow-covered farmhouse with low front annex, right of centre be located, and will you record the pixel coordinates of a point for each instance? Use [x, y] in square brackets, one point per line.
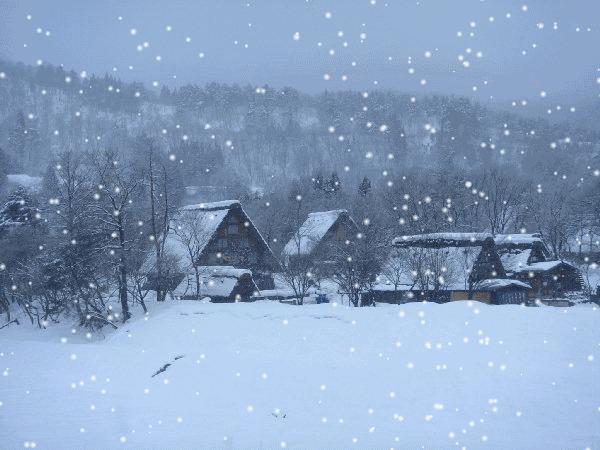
[445, 267]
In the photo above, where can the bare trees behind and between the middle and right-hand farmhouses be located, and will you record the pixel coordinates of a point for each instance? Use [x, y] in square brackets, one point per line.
[495, 201]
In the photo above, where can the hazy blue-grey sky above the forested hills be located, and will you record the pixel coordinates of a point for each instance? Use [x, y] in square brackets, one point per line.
[255, 41]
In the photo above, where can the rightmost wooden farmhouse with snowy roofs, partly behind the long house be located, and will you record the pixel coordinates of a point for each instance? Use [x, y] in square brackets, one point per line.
[525, 257]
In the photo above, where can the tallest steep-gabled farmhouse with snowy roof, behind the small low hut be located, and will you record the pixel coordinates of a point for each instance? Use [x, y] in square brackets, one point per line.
[217, 234]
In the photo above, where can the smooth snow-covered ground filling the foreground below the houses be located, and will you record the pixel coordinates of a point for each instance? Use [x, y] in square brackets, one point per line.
[267, 375]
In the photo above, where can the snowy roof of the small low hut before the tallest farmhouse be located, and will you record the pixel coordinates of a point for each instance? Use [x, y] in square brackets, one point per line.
[215, 281]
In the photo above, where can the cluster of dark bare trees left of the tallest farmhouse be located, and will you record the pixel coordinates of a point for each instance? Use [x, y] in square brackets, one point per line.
[84, 237]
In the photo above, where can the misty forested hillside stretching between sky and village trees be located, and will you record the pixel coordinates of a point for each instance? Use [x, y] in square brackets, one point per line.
[255, 136]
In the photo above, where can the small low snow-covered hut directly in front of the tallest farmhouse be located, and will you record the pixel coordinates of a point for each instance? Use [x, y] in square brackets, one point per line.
[221, 284]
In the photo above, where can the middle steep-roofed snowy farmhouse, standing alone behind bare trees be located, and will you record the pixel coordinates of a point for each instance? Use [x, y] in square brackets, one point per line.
[318, 234]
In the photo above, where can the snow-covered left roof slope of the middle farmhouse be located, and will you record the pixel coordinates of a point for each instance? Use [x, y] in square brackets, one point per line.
[311, 232]
